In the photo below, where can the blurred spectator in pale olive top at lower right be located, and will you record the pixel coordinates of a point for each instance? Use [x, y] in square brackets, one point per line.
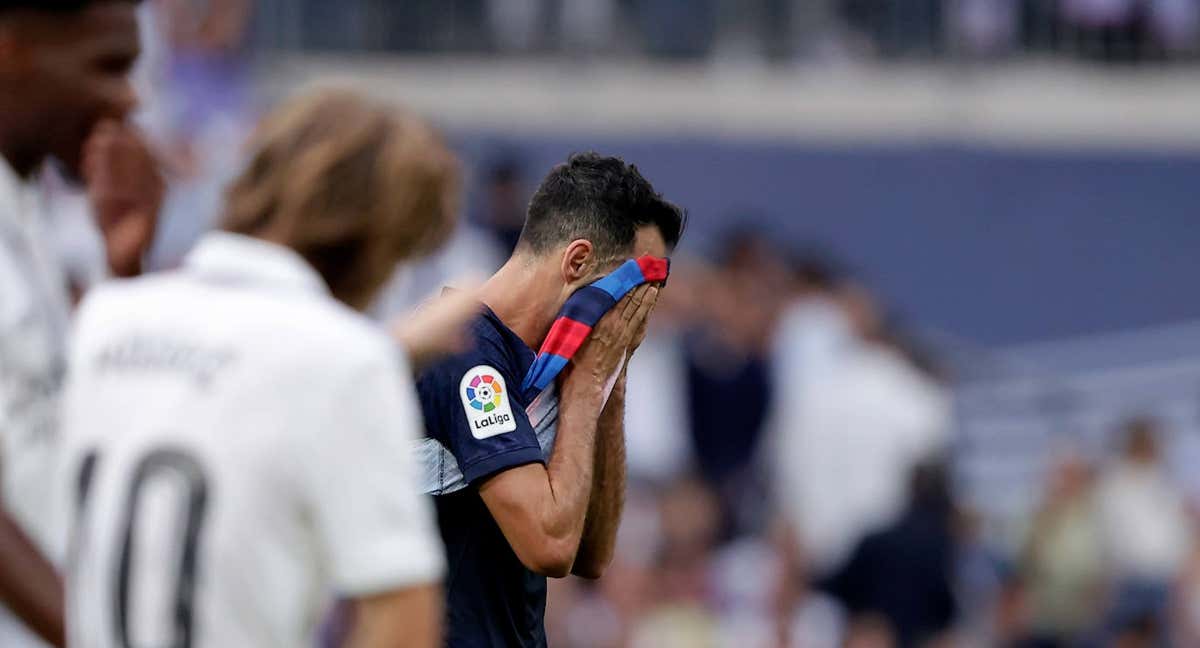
[1063, 561]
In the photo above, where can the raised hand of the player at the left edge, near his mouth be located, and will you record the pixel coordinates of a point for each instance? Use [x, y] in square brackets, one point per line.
[127, 189]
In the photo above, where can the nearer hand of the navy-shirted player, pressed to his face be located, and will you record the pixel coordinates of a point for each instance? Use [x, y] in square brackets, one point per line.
[613, 338]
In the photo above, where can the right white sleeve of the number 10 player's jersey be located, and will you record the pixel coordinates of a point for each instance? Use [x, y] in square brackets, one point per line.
[377, 529]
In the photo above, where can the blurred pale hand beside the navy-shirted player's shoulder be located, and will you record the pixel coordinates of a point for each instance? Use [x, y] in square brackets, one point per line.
[439, 328]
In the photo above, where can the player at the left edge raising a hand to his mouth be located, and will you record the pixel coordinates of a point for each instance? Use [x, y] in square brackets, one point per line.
[64, 94]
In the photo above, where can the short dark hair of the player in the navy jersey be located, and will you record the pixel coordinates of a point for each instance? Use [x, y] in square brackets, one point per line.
[602, 200]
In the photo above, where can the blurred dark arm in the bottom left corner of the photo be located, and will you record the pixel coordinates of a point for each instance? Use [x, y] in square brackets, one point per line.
[29, 586]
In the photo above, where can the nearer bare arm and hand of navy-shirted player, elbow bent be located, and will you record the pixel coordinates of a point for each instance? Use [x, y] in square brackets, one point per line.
[542, 511]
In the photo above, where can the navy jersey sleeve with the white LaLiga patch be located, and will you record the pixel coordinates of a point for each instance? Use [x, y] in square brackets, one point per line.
[470, 407]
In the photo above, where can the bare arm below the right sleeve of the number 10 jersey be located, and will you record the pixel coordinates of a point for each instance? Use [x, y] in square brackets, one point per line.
[409, 619]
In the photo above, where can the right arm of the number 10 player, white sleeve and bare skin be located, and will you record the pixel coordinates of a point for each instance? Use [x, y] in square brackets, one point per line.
[377, 529]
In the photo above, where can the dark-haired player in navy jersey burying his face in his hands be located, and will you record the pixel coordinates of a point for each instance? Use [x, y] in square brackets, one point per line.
[523, 513]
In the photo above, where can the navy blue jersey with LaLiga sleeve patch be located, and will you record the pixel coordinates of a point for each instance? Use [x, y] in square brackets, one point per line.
[473, 406]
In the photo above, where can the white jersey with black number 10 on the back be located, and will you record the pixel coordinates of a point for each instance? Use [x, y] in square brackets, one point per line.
[236, 451]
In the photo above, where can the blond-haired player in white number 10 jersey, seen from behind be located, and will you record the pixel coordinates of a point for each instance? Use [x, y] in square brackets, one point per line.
[237, 434]
